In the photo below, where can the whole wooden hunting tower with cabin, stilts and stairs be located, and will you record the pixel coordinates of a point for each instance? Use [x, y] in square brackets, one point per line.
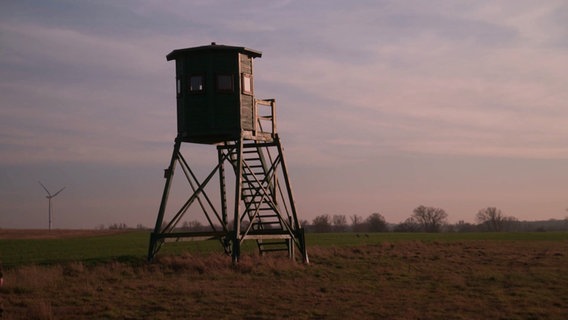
[216, 106]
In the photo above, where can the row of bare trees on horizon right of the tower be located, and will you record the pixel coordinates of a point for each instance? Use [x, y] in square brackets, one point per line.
[431, 219]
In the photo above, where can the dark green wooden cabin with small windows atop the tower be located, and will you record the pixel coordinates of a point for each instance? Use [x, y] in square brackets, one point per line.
[215, 92]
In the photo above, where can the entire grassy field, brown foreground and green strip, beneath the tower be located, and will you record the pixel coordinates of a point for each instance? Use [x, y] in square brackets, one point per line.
[365, 276]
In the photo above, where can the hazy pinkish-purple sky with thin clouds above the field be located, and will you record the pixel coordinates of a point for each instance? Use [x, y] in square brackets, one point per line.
[382, 106]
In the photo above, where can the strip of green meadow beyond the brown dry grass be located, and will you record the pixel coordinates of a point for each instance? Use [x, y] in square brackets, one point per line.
[133, 245]
